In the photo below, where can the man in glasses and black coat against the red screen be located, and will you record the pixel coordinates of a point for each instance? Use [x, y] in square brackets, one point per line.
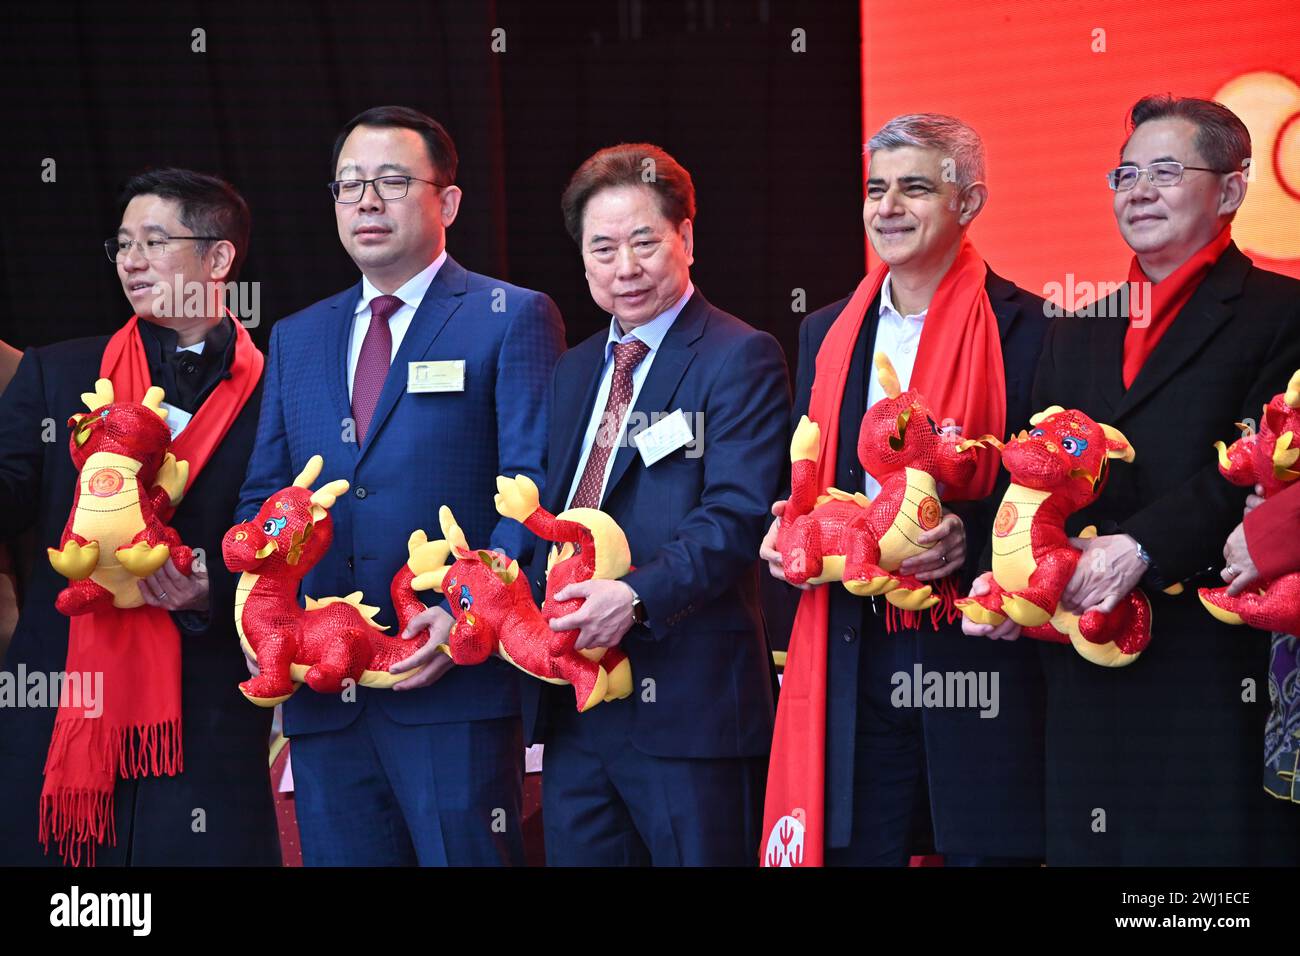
[1158, 763]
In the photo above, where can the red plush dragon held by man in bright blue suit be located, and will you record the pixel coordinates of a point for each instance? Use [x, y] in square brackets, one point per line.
[335, 639]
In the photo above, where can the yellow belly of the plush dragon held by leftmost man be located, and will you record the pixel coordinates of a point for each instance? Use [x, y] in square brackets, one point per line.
[109, 511]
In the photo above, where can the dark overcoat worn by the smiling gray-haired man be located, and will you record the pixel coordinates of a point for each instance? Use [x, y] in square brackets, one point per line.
[989, 791]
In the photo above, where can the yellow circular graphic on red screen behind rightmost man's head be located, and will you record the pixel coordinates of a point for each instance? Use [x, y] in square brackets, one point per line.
[1269, 220]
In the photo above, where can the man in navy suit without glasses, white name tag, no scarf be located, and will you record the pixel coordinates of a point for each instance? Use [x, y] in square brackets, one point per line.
[671, 421]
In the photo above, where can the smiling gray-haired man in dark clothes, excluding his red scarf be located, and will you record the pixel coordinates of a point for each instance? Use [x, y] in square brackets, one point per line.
[895, 773]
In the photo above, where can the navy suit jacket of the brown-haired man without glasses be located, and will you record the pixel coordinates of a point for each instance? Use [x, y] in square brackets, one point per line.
[701, 667]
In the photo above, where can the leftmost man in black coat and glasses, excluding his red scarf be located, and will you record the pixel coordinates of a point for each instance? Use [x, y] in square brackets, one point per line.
[219, 810]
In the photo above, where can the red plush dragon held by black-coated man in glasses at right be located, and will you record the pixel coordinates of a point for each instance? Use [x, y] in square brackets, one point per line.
[1058, 469]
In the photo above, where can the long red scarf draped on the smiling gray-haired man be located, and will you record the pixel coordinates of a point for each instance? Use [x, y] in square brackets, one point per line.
[960, 371]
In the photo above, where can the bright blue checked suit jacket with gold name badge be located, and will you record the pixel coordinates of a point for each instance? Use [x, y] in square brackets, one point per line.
[423, 451]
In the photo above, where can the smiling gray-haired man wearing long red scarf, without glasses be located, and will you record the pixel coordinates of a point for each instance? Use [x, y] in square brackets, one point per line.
[969, 341]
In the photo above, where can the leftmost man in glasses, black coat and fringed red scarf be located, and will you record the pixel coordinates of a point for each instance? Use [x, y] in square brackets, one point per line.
[200, 793]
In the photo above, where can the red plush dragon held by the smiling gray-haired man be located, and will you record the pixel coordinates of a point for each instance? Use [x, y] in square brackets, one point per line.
[848, 538]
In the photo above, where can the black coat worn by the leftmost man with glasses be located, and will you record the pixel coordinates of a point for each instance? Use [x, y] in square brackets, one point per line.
[226, 739]
